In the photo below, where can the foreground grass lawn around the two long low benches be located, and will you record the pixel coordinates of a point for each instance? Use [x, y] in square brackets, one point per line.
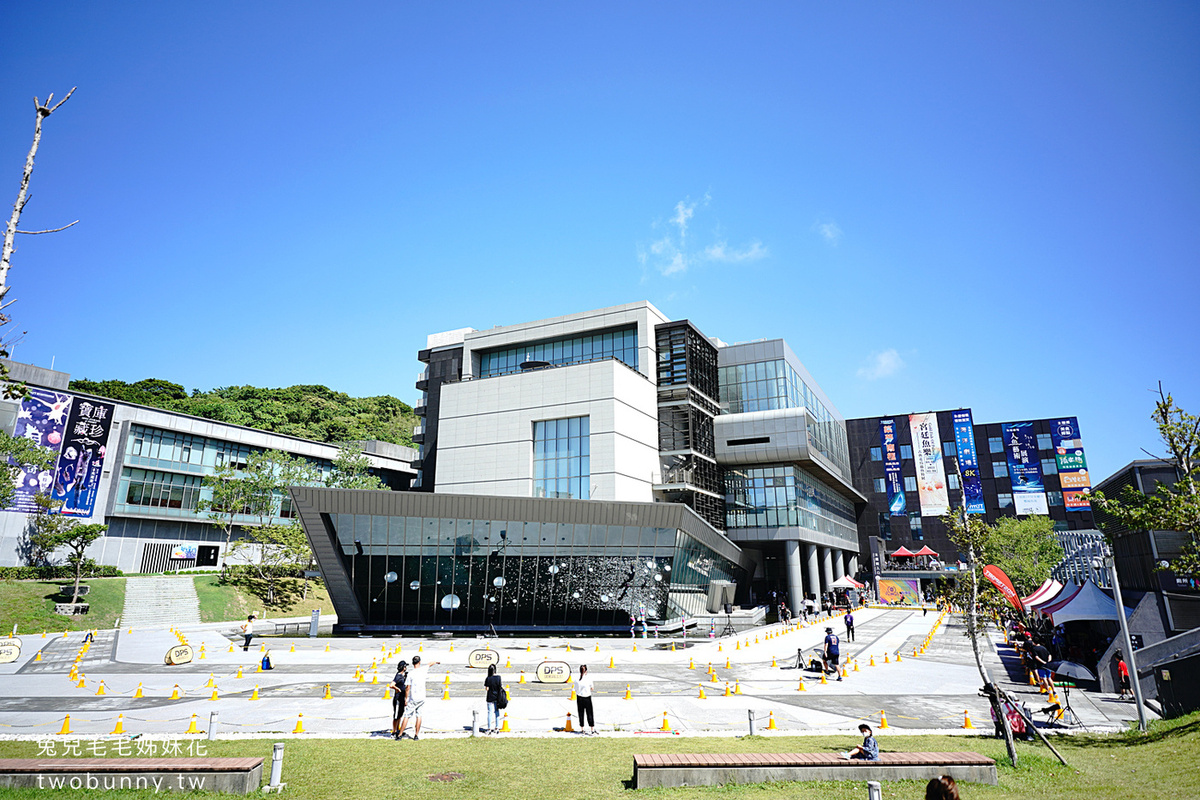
[1102, 768]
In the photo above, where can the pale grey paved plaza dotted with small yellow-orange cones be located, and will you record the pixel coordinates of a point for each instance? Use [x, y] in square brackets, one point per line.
[758, 669]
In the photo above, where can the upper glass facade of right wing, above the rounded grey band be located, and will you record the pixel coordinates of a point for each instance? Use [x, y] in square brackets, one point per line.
[770, 386]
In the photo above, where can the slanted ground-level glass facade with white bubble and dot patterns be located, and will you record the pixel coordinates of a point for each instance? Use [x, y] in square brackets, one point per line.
[511, 574]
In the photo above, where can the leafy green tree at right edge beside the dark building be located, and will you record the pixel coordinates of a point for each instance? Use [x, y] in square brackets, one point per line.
[1169, 508]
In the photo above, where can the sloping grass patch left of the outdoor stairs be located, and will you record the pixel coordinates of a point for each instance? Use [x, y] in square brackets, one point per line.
[31, 605]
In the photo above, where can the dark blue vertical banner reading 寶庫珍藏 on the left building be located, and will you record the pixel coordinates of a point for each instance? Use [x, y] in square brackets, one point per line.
[82, 461]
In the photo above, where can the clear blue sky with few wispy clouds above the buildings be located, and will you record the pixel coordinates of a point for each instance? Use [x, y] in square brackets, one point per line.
[939, 206]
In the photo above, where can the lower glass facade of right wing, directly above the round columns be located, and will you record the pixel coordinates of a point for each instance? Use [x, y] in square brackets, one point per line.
[785, 496]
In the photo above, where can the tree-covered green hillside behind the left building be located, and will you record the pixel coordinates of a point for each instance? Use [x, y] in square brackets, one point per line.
[310, 412]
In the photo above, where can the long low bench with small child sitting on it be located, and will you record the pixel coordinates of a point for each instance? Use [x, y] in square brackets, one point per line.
[717, 769]
